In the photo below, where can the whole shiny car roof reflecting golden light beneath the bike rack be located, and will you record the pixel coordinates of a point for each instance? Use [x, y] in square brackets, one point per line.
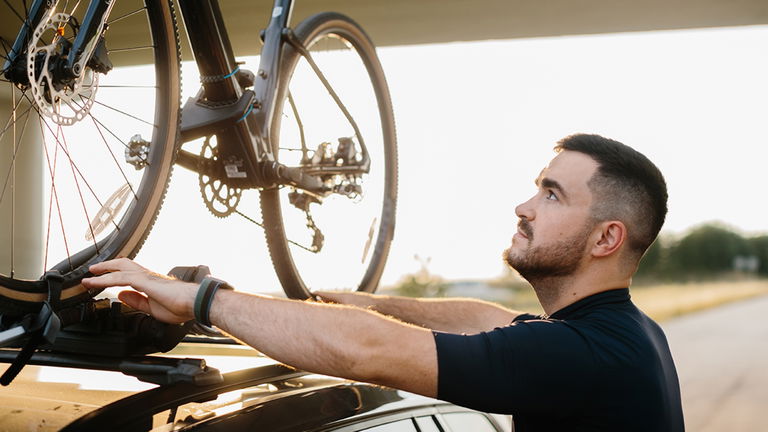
[271, 394]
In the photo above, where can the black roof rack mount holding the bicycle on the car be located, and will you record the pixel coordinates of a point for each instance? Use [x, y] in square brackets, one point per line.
[103, 334]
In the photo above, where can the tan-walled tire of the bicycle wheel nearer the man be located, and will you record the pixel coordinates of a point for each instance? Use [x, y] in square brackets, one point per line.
[282, 252]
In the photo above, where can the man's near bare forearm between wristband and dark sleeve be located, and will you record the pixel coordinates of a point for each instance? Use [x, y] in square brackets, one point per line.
[332, 339]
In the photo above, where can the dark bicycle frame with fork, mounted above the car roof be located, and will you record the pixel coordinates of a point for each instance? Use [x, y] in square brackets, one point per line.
[240, 118]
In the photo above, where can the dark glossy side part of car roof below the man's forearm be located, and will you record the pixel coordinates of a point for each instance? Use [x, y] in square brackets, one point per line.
[274, 396]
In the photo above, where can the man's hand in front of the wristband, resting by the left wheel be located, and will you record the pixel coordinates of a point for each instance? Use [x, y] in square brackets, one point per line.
[164, 298]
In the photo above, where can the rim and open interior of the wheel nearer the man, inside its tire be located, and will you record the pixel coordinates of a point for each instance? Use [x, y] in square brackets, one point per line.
[351, 227]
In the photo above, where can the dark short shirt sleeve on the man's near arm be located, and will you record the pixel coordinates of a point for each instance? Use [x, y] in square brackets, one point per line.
[526, 367]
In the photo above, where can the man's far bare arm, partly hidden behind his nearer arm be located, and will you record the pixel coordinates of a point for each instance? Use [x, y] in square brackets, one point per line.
[451, 315]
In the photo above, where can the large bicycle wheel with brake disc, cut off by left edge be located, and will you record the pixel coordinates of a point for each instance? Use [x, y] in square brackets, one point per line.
[85, 163]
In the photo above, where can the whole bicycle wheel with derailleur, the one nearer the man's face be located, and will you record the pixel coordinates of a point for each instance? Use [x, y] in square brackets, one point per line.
[357, 228]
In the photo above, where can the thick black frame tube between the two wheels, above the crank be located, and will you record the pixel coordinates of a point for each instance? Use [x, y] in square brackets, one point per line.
[211, 48]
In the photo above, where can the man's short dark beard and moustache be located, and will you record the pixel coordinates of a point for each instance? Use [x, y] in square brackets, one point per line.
[550, 261]
